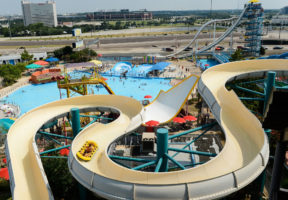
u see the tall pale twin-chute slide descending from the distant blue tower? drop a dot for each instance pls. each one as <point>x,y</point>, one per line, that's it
<point>220,39</point>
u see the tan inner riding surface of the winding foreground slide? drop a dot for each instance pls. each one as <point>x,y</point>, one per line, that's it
<point>245,137</point>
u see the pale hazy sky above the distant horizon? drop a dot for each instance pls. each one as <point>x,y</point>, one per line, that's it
<point>11,7</point>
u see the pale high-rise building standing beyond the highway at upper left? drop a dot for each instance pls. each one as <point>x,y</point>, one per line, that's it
<point>39,13</point>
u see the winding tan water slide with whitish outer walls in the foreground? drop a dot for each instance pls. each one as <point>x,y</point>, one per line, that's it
<point>242,159</point>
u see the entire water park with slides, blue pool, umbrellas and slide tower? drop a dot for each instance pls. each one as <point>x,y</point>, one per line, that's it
<point>151,129</point>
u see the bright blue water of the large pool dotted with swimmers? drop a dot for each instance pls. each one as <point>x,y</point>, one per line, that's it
<point>32,96</point>
